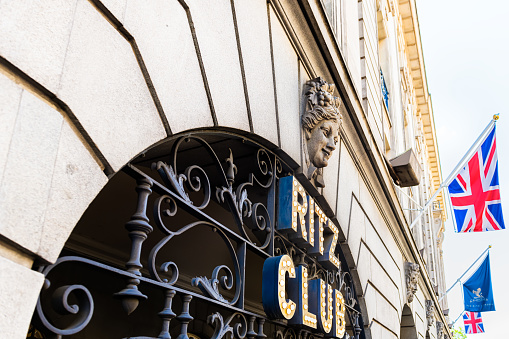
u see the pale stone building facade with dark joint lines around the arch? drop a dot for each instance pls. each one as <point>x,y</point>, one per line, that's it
<point>95,92</point>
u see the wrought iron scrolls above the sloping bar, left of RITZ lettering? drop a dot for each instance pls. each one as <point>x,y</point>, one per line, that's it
<point>247,214</point>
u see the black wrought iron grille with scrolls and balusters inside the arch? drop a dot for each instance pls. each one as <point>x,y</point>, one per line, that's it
<point>179,201</point>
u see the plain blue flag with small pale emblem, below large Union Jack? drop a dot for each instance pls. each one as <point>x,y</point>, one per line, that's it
<point>477,290</point>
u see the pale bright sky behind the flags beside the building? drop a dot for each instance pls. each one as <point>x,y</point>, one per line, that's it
<point>466,53</point>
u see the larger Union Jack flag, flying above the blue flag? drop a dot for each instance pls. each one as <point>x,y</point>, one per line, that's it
<point>475,194</point>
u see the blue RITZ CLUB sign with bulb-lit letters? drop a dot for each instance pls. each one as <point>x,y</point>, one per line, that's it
<point>287,292</point>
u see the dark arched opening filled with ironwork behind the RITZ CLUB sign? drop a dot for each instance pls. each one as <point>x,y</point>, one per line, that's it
<point>178,240</point>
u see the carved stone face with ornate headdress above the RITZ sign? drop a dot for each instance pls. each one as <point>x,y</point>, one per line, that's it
<point>320,123</point>
